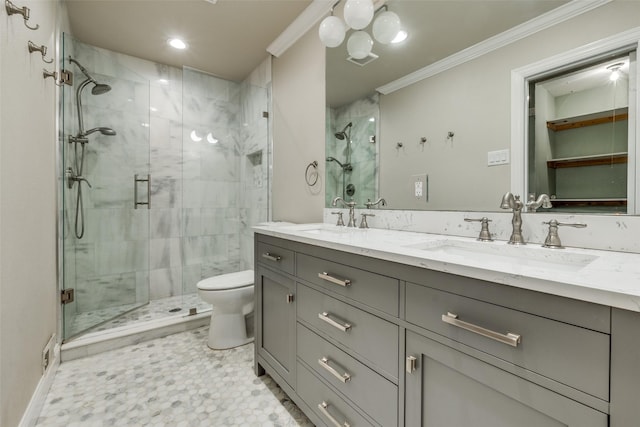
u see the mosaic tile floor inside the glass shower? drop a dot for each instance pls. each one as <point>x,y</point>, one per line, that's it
<point>156,309</point>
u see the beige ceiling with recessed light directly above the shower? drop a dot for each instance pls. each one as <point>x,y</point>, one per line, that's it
<point>227,38</point>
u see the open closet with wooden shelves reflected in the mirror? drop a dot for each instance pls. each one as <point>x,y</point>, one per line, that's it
<point>578,136</point>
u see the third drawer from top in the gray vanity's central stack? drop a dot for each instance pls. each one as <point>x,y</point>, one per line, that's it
<point>371,392</point>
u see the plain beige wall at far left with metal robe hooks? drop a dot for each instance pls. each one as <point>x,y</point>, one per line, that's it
<point>28,208</point>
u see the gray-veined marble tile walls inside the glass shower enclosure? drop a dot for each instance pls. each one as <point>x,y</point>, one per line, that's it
<point>204,196</point>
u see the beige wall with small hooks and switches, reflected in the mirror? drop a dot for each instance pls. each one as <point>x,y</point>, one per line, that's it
<point>473,100</point>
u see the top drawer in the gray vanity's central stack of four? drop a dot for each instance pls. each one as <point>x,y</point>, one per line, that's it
<point>374,290</point>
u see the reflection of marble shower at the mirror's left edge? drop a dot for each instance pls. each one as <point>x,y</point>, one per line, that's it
<point>352,152</point>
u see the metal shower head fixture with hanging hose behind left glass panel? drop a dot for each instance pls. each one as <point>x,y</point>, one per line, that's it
<point>74,173</point>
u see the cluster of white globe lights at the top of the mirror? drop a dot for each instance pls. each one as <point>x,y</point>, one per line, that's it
<point>358,14</point>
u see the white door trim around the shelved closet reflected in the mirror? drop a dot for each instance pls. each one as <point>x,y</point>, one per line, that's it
<point>519,108</point>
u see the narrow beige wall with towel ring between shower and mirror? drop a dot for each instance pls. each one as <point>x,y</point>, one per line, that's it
<point>298,129</point>
